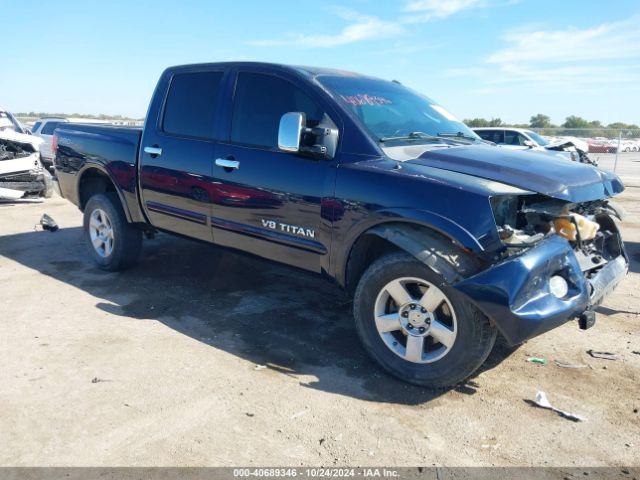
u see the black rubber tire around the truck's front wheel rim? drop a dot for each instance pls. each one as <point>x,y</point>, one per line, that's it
<point>475,334</point>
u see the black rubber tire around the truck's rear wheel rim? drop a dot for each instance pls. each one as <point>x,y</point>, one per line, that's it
<point>127,239</point>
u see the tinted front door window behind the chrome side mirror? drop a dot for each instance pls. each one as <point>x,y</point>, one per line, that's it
<point>259,103</point>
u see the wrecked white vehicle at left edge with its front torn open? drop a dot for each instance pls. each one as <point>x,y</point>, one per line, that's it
<point>21,172</point>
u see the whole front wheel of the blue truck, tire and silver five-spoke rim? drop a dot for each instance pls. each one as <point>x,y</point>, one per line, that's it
<point>416,326</point>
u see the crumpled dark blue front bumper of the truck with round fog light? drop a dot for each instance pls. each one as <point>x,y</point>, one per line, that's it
<point>516,294</point>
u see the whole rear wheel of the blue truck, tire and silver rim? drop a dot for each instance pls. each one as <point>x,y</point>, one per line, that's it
<point>113,243</point>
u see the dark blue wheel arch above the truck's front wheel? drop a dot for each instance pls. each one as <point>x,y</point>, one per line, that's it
<point>431,246</point>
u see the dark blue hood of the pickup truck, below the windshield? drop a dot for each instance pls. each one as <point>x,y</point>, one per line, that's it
<point>531,170</point>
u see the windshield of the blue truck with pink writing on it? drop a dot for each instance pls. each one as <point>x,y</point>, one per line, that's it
<point>390,110</point>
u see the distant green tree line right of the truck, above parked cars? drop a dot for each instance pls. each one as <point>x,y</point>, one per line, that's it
<point>542,122</point>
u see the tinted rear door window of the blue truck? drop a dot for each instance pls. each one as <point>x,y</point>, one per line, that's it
<point>191,103</point>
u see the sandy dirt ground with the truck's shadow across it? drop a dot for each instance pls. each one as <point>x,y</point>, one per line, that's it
<point>204,357</point>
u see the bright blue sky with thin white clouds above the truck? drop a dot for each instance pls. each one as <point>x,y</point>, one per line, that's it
<point>507,59</point>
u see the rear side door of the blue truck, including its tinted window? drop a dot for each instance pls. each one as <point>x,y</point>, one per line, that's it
<point>177,154</point>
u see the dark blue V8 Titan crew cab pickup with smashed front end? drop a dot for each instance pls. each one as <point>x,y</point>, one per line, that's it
<point>443,240</point>
